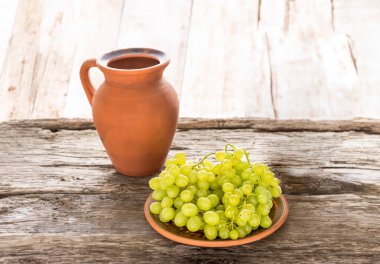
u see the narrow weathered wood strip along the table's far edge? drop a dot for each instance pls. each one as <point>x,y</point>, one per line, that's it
<point>359,125</point>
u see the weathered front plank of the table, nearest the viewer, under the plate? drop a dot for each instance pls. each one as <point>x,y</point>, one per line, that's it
<point>108,228</point>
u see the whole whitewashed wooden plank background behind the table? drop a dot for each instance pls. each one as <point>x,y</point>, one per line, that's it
<point>285,59</point>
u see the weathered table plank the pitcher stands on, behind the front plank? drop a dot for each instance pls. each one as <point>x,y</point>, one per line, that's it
<point>75,161</point>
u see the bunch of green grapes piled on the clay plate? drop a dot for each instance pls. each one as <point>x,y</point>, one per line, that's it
<point>227,198</point>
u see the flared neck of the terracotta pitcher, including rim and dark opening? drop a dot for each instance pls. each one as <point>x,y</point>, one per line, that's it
<point>133,66</point>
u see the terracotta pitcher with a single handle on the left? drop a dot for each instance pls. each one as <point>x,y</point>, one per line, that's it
<point>135,110</point>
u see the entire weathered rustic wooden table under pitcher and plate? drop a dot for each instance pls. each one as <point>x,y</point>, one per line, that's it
<point>61,200</point>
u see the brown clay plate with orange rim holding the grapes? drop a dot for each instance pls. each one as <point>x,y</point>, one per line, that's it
<point>278,214</point>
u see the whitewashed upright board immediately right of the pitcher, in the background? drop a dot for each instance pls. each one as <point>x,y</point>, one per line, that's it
<point>227,70</point>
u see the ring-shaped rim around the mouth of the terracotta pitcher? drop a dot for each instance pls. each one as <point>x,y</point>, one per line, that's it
<point>104,60</point>
